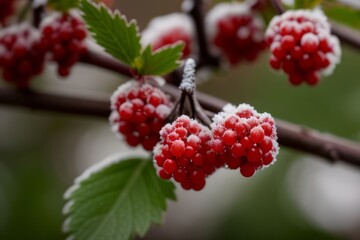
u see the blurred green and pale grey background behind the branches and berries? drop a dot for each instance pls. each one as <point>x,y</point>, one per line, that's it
<point>300,197</point>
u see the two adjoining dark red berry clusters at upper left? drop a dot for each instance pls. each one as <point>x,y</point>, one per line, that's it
<point>24,49</point>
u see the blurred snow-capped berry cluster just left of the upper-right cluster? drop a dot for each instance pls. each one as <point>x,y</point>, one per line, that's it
<point>235,31</point>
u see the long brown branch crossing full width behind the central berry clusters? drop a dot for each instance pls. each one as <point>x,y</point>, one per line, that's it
<point>296,137</point>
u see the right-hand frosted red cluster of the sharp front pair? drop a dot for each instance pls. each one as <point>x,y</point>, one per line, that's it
<point>244,138</point>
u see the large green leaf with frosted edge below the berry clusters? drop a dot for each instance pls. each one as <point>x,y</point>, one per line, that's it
<point>117,201</point>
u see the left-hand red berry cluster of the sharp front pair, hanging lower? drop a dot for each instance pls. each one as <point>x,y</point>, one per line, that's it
<point>185,153</point>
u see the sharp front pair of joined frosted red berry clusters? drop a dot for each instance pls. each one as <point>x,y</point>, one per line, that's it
<point>240,138</point>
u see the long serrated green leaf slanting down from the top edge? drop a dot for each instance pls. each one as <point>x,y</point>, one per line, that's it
<point>113,32</point>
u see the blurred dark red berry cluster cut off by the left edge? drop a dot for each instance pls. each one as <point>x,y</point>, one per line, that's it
<point>21,54</point>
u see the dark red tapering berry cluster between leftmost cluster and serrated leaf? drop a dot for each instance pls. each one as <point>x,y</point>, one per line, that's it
<point>63,36</point>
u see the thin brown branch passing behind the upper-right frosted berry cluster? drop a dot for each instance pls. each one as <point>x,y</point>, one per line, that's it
<point>345,34</point>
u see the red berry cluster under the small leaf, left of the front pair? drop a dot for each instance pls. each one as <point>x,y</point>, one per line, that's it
<point>139,111</point>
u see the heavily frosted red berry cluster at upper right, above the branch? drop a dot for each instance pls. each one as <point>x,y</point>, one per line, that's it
<point>302,46</point>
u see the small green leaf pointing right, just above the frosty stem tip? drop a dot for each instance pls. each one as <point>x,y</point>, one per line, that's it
<point>161,61</point>
